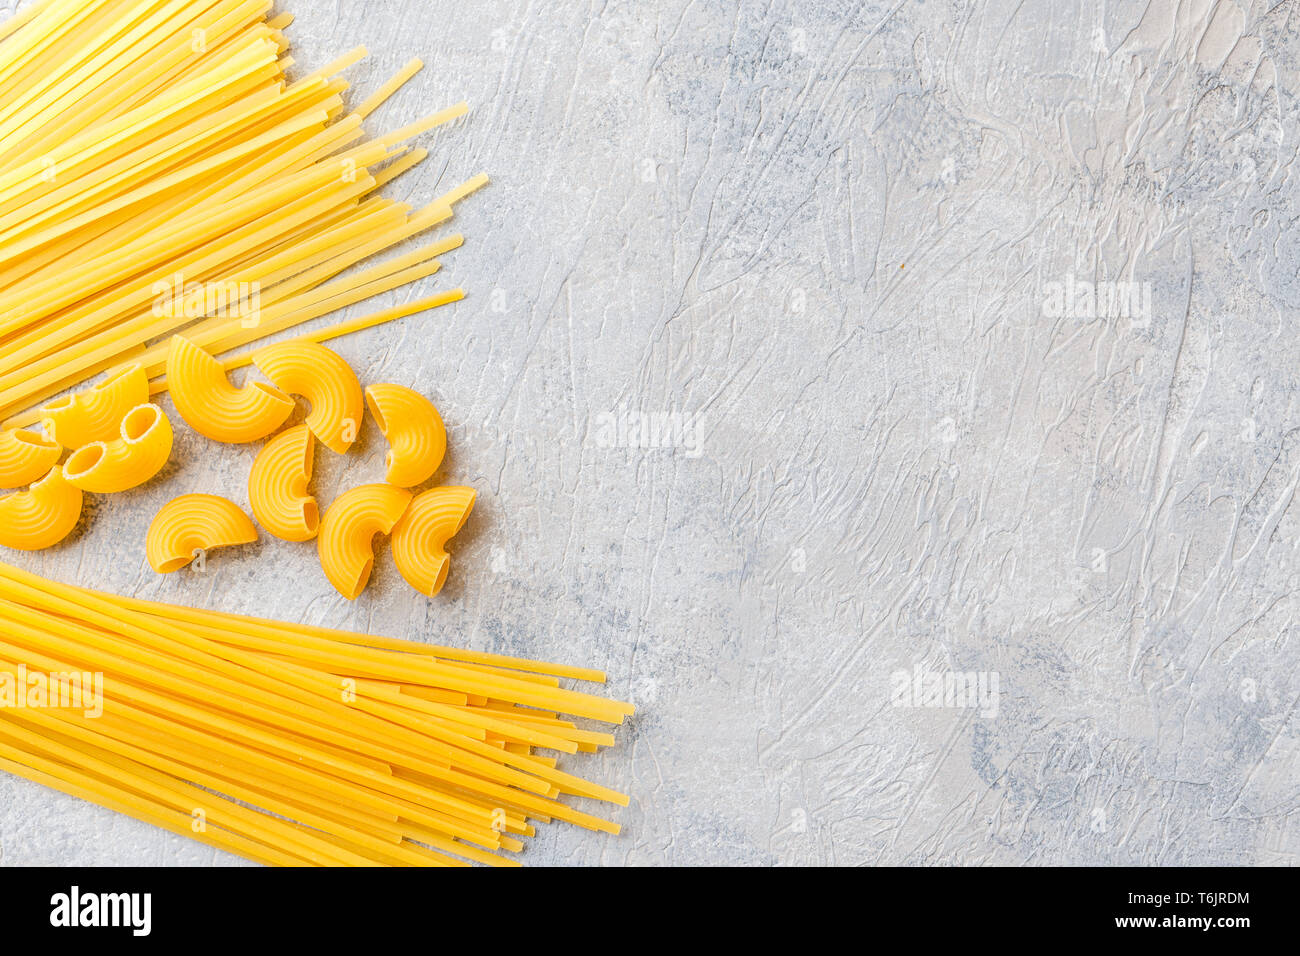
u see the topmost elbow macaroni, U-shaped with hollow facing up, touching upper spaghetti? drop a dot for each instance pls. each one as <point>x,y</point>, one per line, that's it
<point>216,409</point>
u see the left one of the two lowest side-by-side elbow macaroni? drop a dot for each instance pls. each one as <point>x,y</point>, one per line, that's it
<point>348,534</point>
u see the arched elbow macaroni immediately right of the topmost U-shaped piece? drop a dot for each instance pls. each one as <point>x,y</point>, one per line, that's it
<point>322,378</point>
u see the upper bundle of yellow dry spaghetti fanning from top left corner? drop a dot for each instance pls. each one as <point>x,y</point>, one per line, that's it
<point>159,172</point>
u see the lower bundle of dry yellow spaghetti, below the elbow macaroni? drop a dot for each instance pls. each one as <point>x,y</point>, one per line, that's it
<point>289,745</point>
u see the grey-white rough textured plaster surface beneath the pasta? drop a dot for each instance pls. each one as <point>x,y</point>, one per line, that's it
<point>824,233</point>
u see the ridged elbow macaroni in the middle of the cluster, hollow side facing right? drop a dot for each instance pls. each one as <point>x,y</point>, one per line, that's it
<point>278,486</point>
